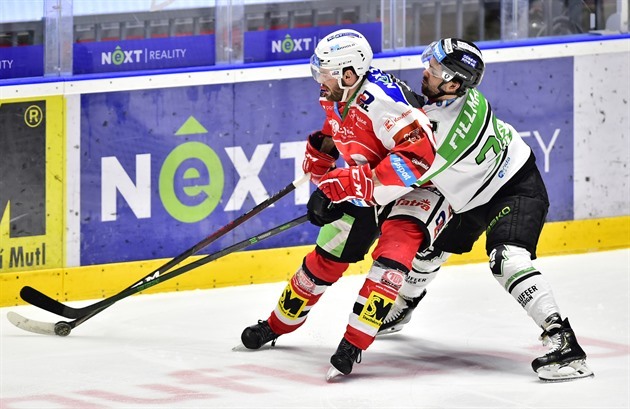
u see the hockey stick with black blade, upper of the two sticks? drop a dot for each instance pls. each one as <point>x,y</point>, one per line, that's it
<point>43,301</point>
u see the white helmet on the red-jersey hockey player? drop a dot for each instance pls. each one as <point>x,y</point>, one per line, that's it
<point>338,50</point>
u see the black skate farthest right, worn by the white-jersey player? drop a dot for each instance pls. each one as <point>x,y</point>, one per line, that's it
<point>566,360</point>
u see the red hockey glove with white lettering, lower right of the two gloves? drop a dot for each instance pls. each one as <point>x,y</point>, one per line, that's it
<point>350,183</point>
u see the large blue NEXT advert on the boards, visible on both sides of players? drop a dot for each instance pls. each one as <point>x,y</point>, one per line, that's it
<point>172,165</point>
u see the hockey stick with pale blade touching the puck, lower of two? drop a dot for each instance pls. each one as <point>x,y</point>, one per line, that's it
<point>63,328</point>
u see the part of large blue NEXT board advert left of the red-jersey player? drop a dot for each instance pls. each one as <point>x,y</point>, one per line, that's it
<point>173,165</point>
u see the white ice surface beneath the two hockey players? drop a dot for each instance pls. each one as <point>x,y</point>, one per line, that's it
<point>469,346</point>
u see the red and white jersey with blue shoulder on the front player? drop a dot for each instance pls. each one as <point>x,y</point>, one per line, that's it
<point>380,126</point>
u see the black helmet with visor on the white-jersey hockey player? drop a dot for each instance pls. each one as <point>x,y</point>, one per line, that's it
<point>461,60</point>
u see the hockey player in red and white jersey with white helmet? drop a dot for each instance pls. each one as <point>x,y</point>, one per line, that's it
<point>372,123</point>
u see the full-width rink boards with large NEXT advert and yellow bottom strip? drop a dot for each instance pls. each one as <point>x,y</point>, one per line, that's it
<point>118,174</point>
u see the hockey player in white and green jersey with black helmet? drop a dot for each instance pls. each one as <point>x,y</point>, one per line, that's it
<point>489,176</point>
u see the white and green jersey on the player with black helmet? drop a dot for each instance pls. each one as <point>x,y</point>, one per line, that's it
<point>477,153</point>
